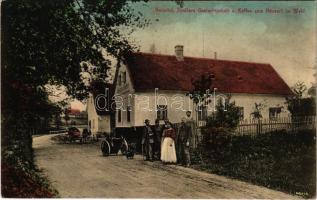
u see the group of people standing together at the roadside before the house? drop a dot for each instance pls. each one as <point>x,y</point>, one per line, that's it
<point>163,143</point>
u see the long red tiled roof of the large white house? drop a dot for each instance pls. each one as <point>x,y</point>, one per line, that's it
<point>151,71</point>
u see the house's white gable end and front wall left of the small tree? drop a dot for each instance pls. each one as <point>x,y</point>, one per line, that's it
<point>144,103</point>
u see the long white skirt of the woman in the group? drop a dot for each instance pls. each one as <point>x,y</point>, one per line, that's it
<point>168,152</point>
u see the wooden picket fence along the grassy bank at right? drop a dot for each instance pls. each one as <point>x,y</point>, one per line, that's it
<point>289,124</point>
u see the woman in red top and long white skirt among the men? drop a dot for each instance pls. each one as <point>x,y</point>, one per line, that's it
<point>168,152</point>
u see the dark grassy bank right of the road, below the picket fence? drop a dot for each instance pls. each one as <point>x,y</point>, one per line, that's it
<point>277,160</point>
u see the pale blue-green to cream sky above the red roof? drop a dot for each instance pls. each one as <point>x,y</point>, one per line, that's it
<point>286,40</point>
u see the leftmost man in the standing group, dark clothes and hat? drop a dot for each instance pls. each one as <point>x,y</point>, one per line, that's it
<point>148,140</point>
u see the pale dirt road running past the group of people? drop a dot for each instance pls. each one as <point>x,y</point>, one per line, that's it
<point>80,171</point>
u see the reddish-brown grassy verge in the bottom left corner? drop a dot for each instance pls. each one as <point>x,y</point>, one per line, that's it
<point>21,179</point>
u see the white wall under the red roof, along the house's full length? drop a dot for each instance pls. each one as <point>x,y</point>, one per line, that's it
<point>144,105</point>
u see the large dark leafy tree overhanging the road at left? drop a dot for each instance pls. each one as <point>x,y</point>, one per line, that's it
<point>46,42</point>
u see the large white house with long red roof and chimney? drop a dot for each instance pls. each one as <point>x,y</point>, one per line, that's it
<point>151,86</point>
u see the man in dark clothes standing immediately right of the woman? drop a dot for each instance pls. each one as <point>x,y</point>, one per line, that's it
<point>183,142</point>
